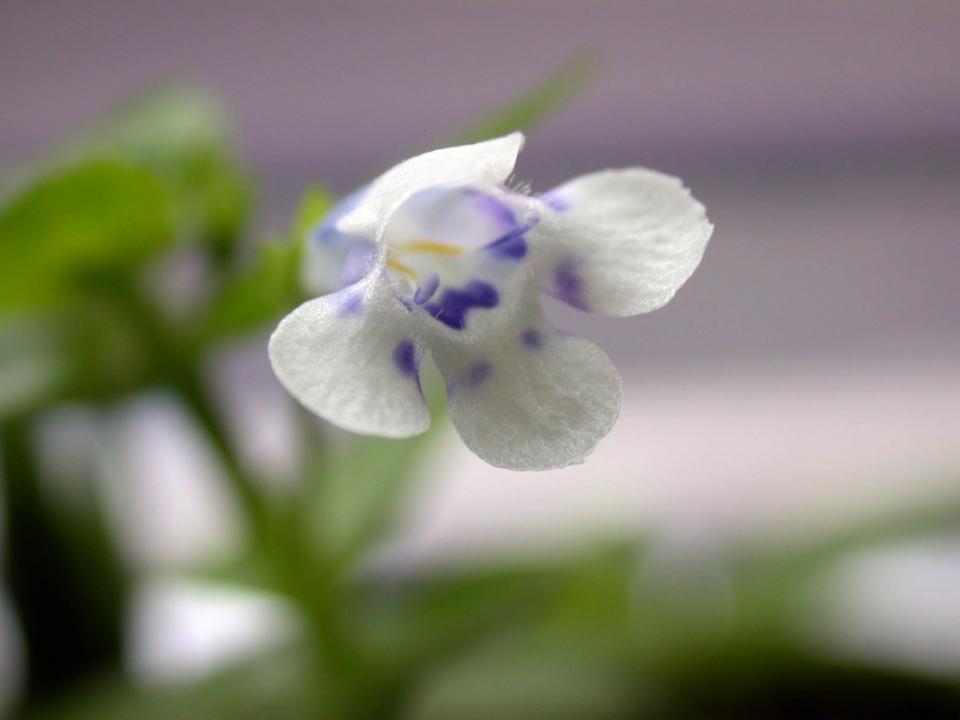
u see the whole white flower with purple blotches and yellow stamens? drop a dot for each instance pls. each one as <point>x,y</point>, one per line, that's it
<point>439,256</point>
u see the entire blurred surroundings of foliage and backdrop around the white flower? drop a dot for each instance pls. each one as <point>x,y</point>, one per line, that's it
<point>771,530</point>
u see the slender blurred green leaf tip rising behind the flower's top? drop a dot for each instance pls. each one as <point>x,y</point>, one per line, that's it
<point>529,109</point>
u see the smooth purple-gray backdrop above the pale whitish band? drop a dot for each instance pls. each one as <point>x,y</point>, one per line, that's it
<point>824,137</point>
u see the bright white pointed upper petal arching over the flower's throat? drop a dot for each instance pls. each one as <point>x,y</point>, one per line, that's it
<point>487,163</point>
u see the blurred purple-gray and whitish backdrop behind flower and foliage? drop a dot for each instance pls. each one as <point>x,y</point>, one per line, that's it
<point>809,370</point>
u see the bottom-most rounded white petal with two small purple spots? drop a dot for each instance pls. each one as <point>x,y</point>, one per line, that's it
<point>535,400</point>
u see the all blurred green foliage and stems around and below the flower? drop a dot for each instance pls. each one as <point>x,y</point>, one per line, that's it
<point>601,633</point>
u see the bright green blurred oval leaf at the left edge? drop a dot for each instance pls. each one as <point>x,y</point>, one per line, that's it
<point>77,227</point>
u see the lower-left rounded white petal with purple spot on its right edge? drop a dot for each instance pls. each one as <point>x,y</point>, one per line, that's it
<point>349,357</point>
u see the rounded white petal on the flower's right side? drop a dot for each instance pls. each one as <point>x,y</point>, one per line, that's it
<point>620,242</point>
